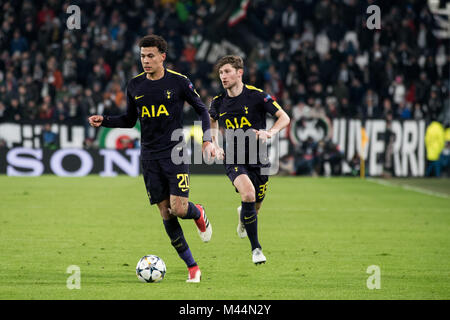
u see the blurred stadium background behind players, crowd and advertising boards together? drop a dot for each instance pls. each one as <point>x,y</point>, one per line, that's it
<point>355,94</point>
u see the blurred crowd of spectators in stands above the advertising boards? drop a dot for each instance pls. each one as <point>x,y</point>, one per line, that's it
<point>318,58</point>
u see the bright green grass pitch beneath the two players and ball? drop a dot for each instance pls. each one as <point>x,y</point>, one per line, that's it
<point>319,236</point>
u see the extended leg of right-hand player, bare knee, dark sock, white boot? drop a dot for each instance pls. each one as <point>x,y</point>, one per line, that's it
<point>249,215</point>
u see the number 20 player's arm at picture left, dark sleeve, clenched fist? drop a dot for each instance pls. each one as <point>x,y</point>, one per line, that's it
<point>126,120</point>
